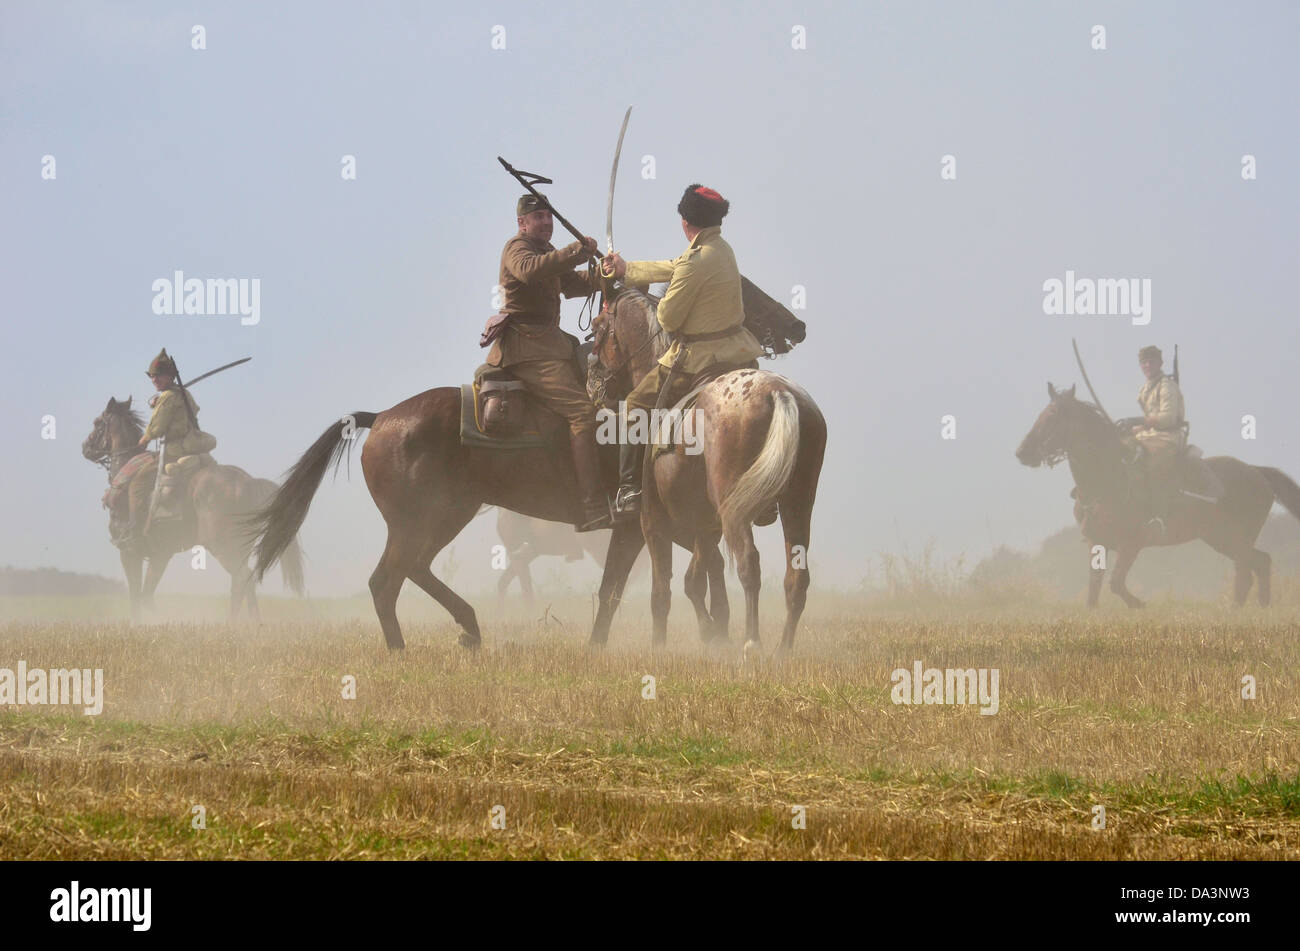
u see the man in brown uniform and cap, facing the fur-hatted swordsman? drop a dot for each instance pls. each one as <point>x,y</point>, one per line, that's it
<point>538,353</point>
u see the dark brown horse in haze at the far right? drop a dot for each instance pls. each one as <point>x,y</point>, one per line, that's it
<point>1112,514</point>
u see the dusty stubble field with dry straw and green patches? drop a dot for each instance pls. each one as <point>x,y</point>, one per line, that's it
<point>1142,715</point>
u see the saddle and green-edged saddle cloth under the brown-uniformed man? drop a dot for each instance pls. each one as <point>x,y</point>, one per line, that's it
<point>499,414</point>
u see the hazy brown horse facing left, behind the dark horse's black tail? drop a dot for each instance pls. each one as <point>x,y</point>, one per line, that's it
<point>222,500</point>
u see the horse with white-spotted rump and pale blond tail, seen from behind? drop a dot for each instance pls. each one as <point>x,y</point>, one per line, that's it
<point>761,441</point>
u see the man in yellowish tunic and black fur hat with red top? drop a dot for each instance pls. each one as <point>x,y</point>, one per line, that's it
<point>703,311</point>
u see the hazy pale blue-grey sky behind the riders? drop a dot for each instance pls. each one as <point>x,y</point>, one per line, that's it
<point>925,297</point>
